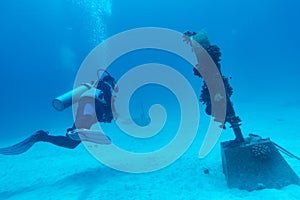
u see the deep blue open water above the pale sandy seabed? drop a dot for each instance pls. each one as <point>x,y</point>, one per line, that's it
<point>43,43</point>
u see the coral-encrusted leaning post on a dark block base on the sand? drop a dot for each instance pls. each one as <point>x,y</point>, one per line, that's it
<point>249,163</point>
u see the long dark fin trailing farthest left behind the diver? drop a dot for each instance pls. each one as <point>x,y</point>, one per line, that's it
<point>23,146</point>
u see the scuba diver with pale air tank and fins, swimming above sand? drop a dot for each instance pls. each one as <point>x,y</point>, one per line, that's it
<point>95,104</point>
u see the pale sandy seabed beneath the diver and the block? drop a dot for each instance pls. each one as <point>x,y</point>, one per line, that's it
<point>48,172</point>
